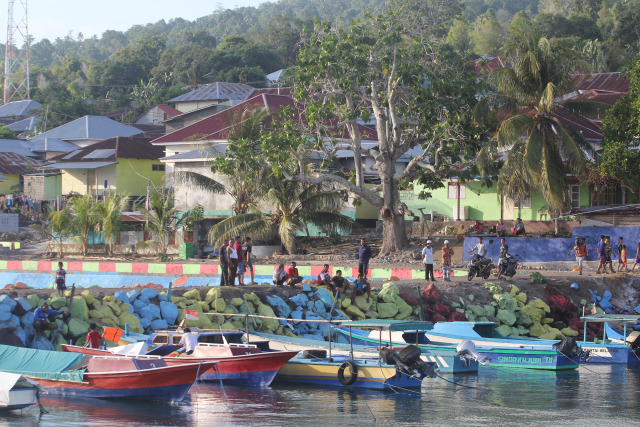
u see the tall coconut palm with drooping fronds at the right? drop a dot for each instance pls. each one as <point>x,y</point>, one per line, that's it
<point>540,148</point>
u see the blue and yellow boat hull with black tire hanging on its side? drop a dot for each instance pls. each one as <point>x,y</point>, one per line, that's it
<point>371,375</point>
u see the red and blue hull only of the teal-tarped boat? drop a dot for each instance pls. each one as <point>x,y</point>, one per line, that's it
<point>170,383</point>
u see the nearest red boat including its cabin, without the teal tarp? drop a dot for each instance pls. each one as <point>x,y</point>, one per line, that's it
<point>122,377</point>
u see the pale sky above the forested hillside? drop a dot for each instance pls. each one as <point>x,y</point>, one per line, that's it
<point>57,18</point>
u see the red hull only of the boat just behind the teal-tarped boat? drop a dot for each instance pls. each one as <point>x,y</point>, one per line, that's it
<point>255,370</point>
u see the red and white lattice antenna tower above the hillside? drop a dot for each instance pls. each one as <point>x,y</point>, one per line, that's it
<point>16,59</point>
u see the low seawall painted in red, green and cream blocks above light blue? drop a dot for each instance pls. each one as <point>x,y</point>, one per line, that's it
<point>40,274</point>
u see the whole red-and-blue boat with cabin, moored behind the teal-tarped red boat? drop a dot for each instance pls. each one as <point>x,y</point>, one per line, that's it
<point>239,364</point>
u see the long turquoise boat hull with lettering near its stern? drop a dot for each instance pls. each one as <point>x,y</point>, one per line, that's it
<point>547,359</point>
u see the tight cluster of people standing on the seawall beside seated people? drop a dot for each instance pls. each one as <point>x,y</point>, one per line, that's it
<point>235,260</point>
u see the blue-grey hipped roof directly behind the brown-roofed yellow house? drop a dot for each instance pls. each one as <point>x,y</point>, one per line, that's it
<point>90,127</point>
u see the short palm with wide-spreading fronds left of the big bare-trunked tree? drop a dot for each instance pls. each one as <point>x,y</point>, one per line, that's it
<point>294,206</point>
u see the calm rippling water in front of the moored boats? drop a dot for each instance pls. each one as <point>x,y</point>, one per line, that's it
<point>601,395</point>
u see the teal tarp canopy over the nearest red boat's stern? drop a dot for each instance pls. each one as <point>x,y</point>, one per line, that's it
<point>39,363</point>
